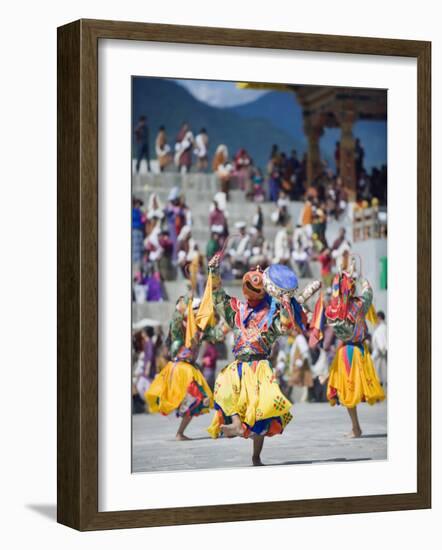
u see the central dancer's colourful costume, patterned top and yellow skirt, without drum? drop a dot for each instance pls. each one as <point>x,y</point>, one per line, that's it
<point>248,387</point>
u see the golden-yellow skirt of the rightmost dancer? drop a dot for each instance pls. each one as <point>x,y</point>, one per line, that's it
<point>353,378</point>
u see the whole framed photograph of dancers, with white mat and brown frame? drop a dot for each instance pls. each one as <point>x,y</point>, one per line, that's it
<point>244,275</point>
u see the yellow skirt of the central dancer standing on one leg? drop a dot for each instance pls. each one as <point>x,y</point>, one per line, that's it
<point>251,391</point>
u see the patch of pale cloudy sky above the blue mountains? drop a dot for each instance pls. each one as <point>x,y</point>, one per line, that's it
<point>220,94</point>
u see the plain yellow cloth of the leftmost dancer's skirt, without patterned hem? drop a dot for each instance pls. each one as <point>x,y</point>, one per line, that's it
<point>169,388</point>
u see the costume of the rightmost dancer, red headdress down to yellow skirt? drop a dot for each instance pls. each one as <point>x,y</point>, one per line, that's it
<point>352,374</point>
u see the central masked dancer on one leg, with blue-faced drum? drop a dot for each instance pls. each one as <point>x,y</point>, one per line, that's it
<point>248,399</point>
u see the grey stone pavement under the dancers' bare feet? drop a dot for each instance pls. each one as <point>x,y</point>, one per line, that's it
<point>316,434</point>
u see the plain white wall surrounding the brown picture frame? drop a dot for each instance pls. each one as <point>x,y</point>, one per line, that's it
<point>28,346</point>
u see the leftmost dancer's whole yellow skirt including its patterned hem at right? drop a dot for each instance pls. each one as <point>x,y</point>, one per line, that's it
<point>179,387</point>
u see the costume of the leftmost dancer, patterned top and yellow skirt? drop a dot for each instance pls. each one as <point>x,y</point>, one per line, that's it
<point>180,386</point>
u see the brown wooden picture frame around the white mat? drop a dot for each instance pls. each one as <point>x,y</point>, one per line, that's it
<point>78,274</point>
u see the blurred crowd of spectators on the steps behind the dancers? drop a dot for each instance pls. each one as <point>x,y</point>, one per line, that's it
<point>165,249</point>
